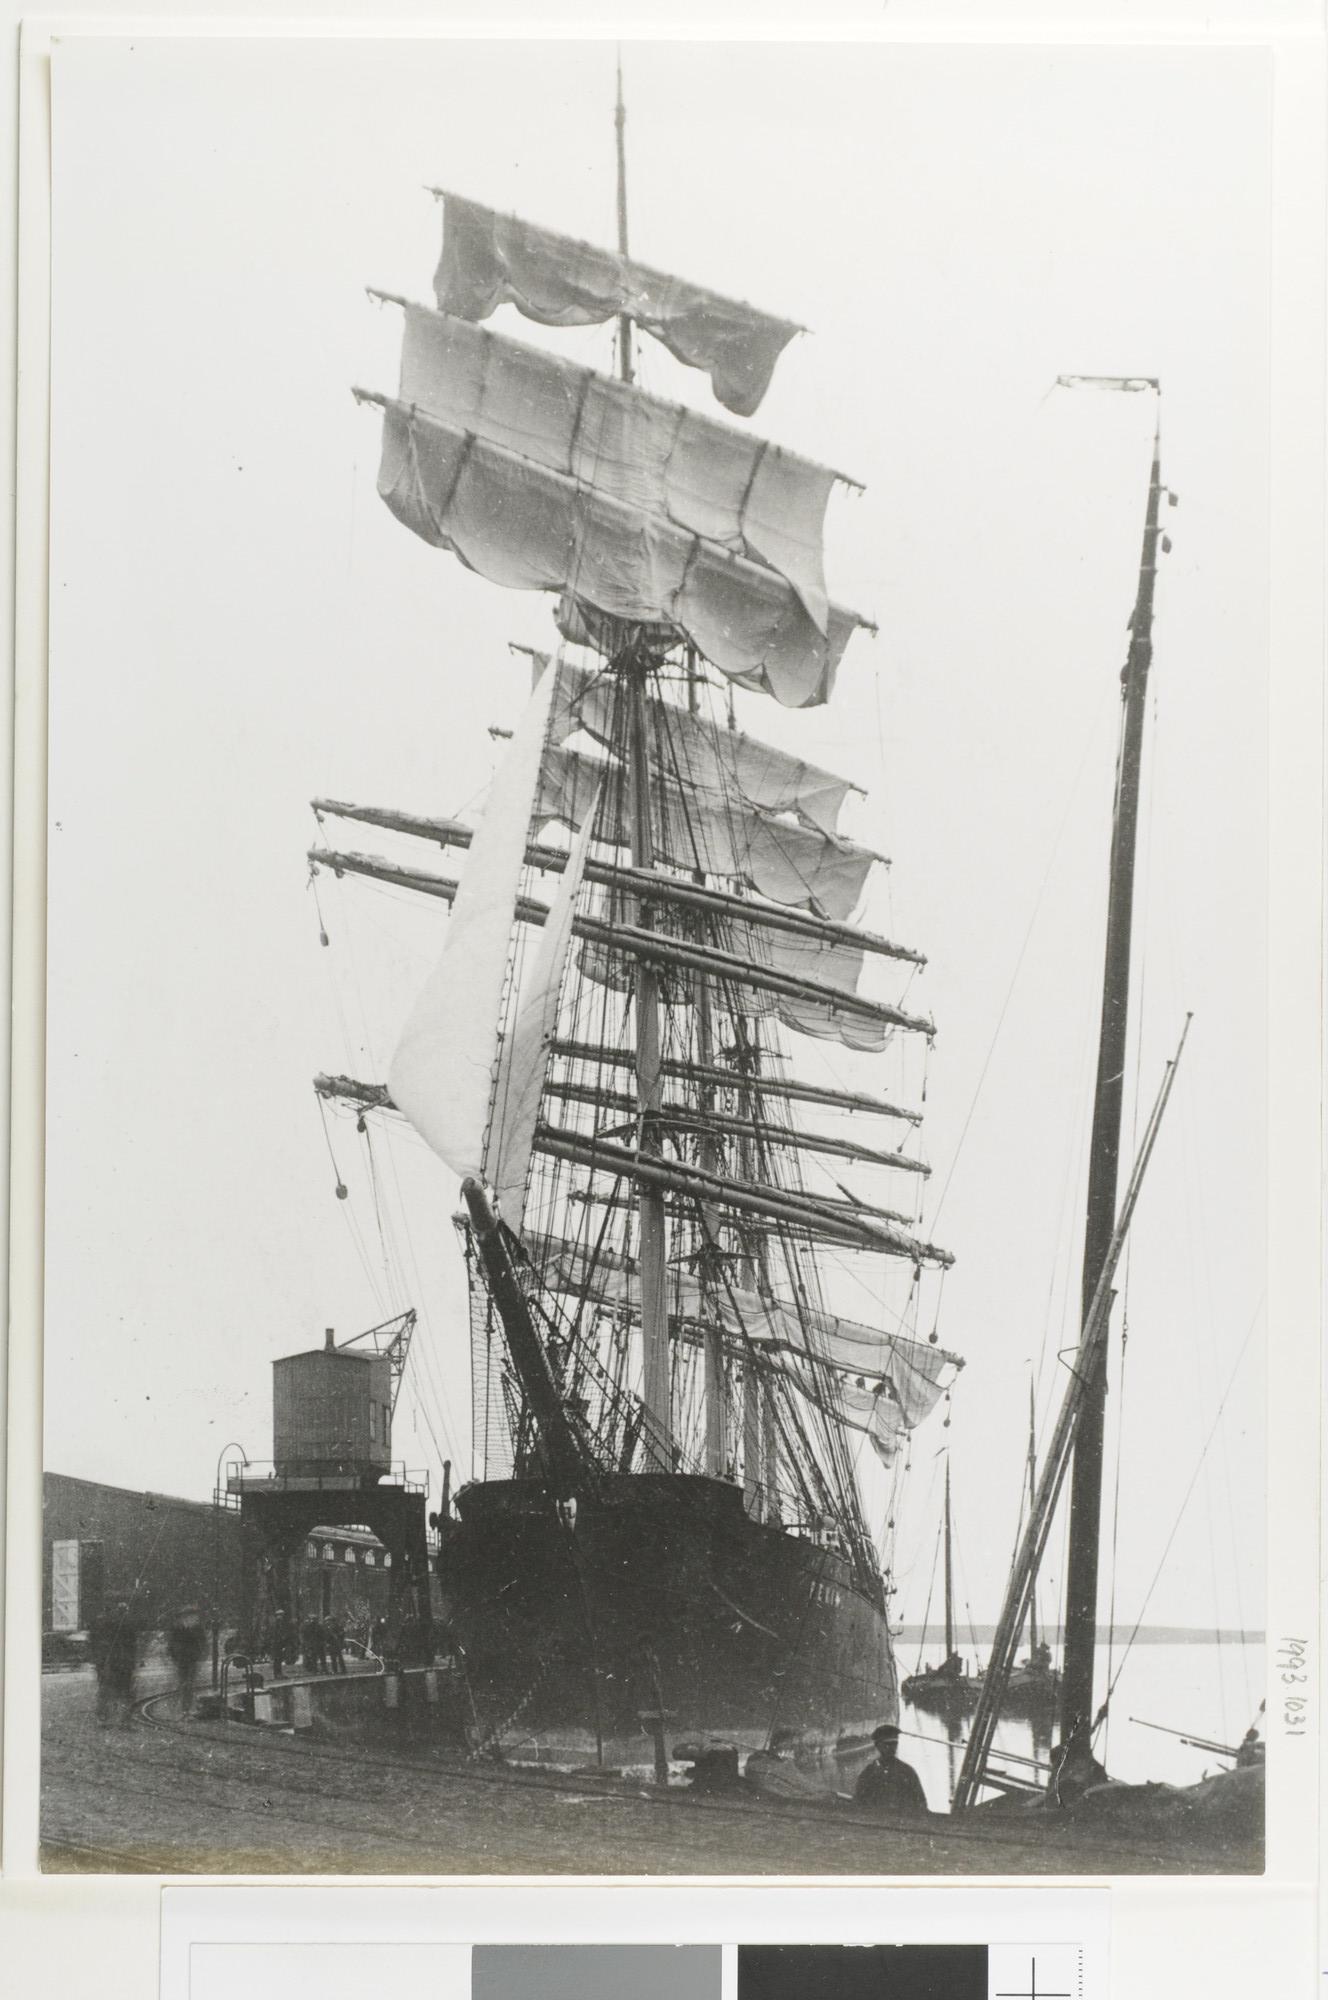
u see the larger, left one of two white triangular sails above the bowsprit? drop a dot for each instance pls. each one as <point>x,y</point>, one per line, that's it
<point>443,1071</point>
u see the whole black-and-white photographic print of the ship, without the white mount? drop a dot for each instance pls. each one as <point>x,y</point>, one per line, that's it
<point>657,961</point>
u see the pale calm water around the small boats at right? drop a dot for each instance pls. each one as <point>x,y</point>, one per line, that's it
<point>1207,1691</point>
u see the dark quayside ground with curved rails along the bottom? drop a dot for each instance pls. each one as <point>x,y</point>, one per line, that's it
<point>171,1797</point>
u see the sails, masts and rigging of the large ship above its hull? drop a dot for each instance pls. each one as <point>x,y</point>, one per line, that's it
<point>623,1081</point>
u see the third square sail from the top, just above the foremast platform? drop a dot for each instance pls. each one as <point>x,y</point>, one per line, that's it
<point>529,529</point>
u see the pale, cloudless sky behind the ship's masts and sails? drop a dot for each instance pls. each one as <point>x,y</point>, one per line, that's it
<point>239,627</point>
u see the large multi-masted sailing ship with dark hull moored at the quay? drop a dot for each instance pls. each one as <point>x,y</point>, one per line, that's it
<point>653,937</point>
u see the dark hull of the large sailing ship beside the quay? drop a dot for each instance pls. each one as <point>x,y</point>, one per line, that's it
<point>659,1597</point>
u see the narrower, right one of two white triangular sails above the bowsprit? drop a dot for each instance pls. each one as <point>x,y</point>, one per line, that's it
<point>523,1065</point>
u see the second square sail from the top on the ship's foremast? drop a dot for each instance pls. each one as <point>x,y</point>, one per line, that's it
<point>659,457</point>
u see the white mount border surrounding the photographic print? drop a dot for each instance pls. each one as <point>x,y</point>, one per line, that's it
<point>1219,1931</point>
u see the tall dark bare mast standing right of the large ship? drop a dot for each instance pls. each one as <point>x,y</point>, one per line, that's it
<point>1105,1147</point>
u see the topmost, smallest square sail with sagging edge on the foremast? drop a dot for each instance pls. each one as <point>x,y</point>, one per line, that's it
<point>491,261</point>
